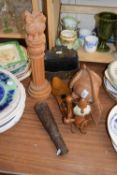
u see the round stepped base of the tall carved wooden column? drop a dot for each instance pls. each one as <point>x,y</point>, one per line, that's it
<point>41,93</point>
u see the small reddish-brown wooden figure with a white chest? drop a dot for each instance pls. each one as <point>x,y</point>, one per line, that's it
<point>79,111</point>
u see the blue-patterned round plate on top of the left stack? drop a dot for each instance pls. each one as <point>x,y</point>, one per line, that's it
<point>9,93</point>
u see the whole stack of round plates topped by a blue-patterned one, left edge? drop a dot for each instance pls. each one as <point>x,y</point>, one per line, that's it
<point>12,100</point>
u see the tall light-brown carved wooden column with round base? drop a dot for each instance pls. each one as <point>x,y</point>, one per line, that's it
<point>35,39</point>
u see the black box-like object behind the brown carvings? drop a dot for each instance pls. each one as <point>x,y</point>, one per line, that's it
<point>62,62</point>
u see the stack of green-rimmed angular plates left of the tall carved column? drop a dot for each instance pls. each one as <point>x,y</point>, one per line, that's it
<point>13,57</point>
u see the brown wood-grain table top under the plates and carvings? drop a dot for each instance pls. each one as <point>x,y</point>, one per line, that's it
<point>27,149</point>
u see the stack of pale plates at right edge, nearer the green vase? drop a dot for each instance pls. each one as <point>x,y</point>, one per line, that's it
<point>110,79</point>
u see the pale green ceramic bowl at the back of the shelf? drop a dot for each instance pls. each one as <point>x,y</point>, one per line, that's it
<point>69,22</point>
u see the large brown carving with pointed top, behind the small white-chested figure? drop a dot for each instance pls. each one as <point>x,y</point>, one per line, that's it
<point>88,80</point>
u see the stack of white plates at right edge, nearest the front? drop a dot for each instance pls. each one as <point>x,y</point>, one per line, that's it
<point>112,126</point>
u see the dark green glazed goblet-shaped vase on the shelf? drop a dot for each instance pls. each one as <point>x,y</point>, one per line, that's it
<point>105,23</point>
